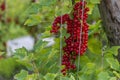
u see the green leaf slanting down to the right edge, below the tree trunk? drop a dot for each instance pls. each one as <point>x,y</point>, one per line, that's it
<point>114,64</point>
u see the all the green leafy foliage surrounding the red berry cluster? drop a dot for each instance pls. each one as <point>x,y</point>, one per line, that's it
<point>43,63</point>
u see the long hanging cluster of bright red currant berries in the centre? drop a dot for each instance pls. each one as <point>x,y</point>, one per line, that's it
<point>77,27</point>
